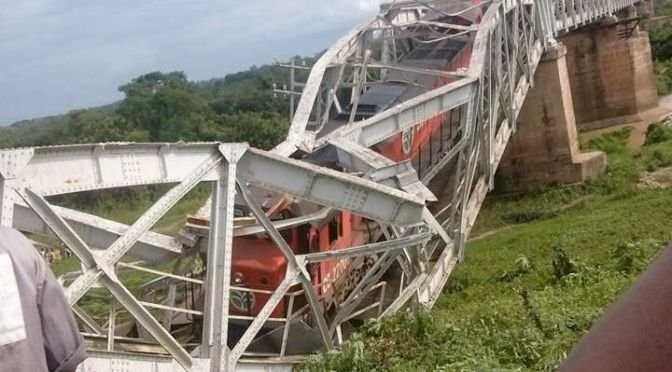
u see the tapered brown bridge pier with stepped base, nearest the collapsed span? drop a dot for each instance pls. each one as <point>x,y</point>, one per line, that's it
<point>545,148</point>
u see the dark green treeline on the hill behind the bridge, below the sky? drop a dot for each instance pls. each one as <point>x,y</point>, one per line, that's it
<point>167,107</point>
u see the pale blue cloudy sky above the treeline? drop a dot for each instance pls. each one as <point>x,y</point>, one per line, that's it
<point>59,55</point>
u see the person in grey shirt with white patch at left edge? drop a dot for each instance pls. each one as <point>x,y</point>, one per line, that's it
<point>38,332</point>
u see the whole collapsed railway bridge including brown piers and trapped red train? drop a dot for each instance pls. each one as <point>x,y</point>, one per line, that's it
<point>402,128</point>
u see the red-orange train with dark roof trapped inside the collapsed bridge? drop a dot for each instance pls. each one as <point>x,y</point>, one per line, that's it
<point>259,266</point>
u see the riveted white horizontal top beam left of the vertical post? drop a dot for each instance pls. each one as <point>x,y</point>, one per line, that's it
<point>67,169</point>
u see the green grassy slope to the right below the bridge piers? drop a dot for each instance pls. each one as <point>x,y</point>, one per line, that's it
<point>528,292</point>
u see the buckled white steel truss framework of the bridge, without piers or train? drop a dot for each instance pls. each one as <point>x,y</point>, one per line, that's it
<point>422,210</point>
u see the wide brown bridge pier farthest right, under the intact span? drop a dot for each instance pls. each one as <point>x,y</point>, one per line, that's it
<point>611,72</point>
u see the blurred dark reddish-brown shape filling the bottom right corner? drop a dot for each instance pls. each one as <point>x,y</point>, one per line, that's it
<point>636,332</point>
